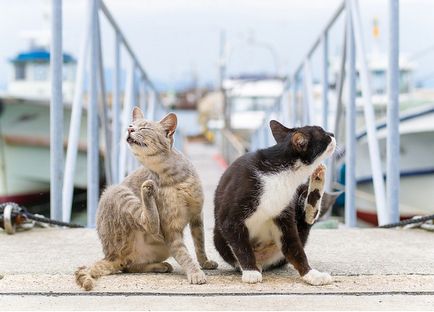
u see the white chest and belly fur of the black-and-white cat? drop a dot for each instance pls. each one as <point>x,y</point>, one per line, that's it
<point>278,190</point>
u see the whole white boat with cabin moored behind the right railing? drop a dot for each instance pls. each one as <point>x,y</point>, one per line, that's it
<point>416,137</point>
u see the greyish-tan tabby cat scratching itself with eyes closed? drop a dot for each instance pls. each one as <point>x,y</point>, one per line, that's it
<point>140,222</point>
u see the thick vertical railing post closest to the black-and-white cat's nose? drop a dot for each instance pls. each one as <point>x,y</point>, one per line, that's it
<point>350,136</point>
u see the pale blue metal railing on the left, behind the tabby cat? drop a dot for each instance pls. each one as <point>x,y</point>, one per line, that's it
<point>102,119</point>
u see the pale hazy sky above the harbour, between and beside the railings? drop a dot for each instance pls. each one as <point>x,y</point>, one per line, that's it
<point>178,41</point>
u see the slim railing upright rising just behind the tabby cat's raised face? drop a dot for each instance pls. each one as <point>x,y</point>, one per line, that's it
<point>116,110</point>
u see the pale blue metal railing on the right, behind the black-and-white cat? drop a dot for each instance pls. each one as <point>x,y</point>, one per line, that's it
<point>300,109</point>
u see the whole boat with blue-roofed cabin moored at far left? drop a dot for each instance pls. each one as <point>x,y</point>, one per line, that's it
<point>25,128</point>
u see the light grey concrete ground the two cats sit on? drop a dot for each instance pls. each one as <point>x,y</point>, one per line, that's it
<point>372,268</point>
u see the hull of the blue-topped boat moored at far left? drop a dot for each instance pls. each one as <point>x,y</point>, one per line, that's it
<point>25,150</point>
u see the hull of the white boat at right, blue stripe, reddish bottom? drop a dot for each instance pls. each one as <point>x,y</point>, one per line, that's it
<point>416,166</point>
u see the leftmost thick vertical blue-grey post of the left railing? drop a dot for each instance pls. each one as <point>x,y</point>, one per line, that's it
<point>56,112</point>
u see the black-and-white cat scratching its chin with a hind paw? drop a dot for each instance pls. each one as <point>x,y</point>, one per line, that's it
<point>267,201</point>
